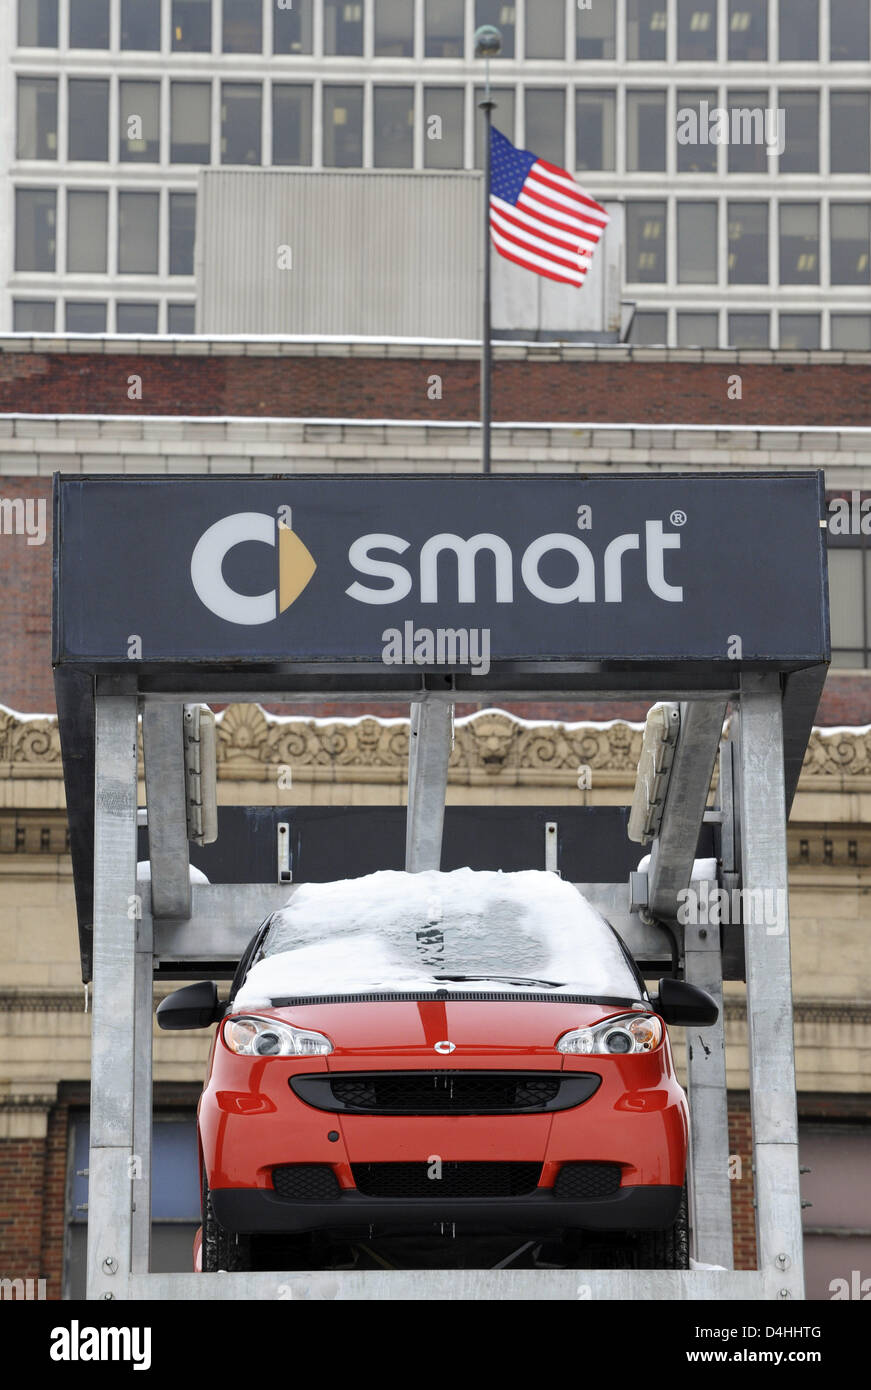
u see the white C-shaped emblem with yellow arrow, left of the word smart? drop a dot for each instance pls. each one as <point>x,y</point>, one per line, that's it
<point>295,566</point>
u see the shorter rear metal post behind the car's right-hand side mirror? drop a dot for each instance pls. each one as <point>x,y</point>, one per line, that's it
<point>711,1199</point>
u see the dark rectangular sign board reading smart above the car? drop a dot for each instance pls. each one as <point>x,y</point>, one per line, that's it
<point>449,573</point>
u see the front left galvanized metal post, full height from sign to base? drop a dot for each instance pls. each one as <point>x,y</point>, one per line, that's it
<point>113,1043</point>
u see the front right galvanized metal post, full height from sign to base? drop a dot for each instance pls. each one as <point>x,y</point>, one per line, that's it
<point>770,1020</point>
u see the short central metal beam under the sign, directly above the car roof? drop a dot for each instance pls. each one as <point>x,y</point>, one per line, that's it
<point>430,746</point>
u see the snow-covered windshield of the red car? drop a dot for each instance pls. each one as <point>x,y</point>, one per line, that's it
<point>399,932</point>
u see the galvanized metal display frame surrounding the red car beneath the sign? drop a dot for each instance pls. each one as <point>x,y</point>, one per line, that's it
<point>177,922</point>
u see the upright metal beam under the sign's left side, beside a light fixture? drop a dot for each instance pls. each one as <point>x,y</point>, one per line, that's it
<point>165,764</point>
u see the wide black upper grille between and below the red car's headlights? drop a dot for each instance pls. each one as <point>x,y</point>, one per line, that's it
<point>445,1093</point>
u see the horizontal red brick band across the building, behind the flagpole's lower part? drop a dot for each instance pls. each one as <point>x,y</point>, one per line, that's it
<point>636,391</point>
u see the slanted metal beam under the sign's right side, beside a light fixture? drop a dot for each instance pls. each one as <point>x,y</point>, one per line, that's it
<point>674,850</point>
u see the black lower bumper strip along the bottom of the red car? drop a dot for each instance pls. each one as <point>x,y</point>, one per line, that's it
<point>259,1211</point>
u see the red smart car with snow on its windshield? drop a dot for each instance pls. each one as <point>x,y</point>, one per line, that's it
<point>441,1054</point>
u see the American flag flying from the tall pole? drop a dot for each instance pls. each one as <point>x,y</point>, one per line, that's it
<point>540,215</point>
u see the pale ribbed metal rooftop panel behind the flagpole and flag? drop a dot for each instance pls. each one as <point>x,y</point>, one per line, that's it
<point>376,252</point>
